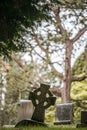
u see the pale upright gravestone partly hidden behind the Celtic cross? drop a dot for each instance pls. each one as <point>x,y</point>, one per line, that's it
<point>25,110</point>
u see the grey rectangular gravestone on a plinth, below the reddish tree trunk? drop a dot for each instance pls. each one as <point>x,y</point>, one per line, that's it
<point>64,114</point>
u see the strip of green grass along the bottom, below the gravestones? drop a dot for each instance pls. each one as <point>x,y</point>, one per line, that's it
<point>62,127</point>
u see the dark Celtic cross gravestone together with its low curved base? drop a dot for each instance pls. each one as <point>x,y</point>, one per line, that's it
<point>41,98</point>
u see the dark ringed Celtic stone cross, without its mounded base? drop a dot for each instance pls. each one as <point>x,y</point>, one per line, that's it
<point>41,98</point>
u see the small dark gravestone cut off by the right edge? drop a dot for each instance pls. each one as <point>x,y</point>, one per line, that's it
<point>83,119</point>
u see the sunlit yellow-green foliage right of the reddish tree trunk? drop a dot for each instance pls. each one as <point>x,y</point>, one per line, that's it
<point>79,89</point>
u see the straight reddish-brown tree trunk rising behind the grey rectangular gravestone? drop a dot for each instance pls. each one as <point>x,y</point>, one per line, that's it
<point>67,79</point>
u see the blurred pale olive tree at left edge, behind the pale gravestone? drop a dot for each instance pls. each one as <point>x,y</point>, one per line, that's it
<point>19,78</point>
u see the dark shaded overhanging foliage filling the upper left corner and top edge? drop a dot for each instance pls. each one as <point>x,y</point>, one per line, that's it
<point>17,16</point>
